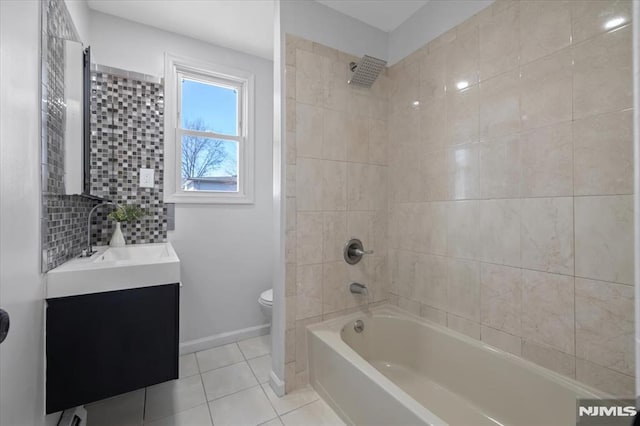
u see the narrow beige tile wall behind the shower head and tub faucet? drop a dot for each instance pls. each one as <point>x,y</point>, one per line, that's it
<point>336,188</point>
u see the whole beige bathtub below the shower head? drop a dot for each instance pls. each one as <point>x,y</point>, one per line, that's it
<point>405,370</point>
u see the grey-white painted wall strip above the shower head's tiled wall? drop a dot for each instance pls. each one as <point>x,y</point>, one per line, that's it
<point>314,21</point>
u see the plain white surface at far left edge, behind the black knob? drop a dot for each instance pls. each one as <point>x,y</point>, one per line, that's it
<point>21,286</point>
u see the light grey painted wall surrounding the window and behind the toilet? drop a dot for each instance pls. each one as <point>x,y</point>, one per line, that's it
<point>225,251</point>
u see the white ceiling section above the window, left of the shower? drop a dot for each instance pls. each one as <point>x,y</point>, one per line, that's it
<point>246,25</point>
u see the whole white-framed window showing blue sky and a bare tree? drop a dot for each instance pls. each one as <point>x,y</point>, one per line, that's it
<point>209,133</point>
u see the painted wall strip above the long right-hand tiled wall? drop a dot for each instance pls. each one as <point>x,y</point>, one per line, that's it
<point>431,20</point>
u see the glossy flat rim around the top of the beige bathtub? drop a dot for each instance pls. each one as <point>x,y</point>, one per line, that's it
<point>329,332</point>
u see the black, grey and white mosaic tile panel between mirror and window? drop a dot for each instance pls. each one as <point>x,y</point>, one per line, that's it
<point>127,133</point>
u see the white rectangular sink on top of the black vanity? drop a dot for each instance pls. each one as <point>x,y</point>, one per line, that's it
<point>115,268</point>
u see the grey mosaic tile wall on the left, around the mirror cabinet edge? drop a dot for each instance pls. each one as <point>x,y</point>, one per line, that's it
<point>64,218</point>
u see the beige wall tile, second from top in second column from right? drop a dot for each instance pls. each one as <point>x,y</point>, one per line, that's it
<point>546,90</point>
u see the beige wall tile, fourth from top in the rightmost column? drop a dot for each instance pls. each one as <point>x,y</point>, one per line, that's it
<point>604,238</point>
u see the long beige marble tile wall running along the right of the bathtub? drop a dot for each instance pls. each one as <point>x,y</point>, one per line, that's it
<point>510,184</point>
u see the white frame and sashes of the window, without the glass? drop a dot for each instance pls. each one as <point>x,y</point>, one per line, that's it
<point>176,67</point>
